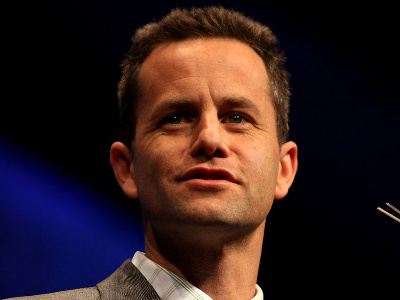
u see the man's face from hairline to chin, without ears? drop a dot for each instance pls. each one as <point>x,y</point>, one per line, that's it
<point>206,150</point>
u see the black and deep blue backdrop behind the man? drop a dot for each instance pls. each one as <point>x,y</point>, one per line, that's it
<point>64,223</point>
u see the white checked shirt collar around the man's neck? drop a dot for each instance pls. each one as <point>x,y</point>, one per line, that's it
<point>170,286</point>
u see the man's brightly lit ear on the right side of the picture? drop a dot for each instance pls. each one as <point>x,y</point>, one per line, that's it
<point>287,169</point>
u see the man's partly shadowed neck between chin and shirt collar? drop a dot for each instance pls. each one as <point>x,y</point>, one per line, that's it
<point>222,265</point>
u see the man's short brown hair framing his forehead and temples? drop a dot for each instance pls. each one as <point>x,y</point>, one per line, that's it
<point>214,22</point>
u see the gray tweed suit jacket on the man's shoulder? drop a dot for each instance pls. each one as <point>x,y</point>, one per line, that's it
<point>126,283</point>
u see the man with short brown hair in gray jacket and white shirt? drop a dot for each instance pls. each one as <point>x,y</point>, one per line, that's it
<point>204,102</point>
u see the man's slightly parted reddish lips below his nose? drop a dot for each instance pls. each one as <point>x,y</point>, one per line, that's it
<point>208,174</point>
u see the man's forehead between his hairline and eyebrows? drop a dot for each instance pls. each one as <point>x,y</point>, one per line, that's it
<point>214,59</point>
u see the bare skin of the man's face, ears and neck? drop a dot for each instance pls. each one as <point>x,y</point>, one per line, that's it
<point>207,162</point>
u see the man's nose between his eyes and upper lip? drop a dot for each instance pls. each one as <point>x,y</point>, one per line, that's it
<point>209,138</point>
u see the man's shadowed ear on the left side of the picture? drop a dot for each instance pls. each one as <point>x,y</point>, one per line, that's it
<point>122,163</point>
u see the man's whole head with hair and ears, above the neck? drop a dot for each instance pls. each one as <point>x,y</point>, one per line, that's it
<point>207,153</point>
